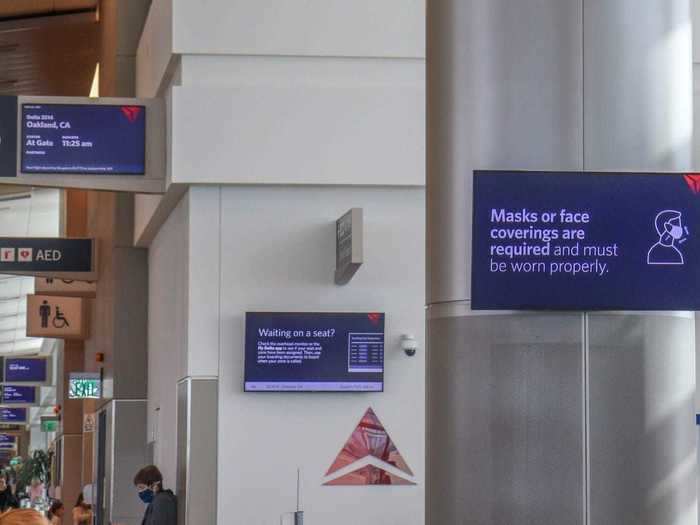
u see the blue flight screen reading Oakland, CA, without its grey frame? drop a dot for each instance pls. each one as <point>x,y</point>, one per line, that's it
<point>83,139</point>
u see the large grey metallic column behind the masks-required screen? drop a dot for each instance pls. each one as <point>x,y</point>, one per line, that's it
<point>513,434</point>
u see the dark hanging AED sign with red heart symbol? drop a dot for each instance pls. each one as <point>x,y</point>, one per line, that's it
<point>46,255</point>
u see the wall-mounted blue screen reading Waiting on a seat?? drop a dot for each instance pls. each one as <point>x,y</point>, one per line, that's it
<point>314,352</point>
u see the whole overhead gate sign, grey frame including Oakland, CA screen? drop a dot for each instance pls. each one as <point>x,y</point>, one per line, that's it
<point>115,144</point>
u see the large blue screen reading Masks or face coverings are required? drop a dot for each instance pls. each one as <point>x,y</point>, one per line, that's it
<point>585,241</point>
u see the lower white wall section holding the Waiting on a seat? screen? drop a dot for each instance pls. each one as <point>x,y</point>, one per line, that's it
<point>278,254</point>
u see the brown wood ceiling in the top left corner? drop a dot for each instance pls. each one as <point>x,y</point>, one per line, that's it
<point>48,47</point>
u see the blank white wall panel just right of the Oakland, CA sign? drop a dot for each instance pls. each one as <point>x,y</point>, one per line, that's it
<point>298,135</point>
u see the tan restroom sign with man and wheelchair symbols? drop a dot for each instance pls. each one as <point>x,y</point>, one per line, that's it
<point>57,317</point>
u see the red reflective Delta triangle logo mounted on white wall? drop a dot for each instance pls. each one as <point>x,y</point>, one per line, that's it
<point>369,457</point>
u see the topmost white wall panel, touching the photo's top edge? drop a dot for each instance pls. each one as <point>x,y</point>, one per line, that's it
<point>391,28</point>
